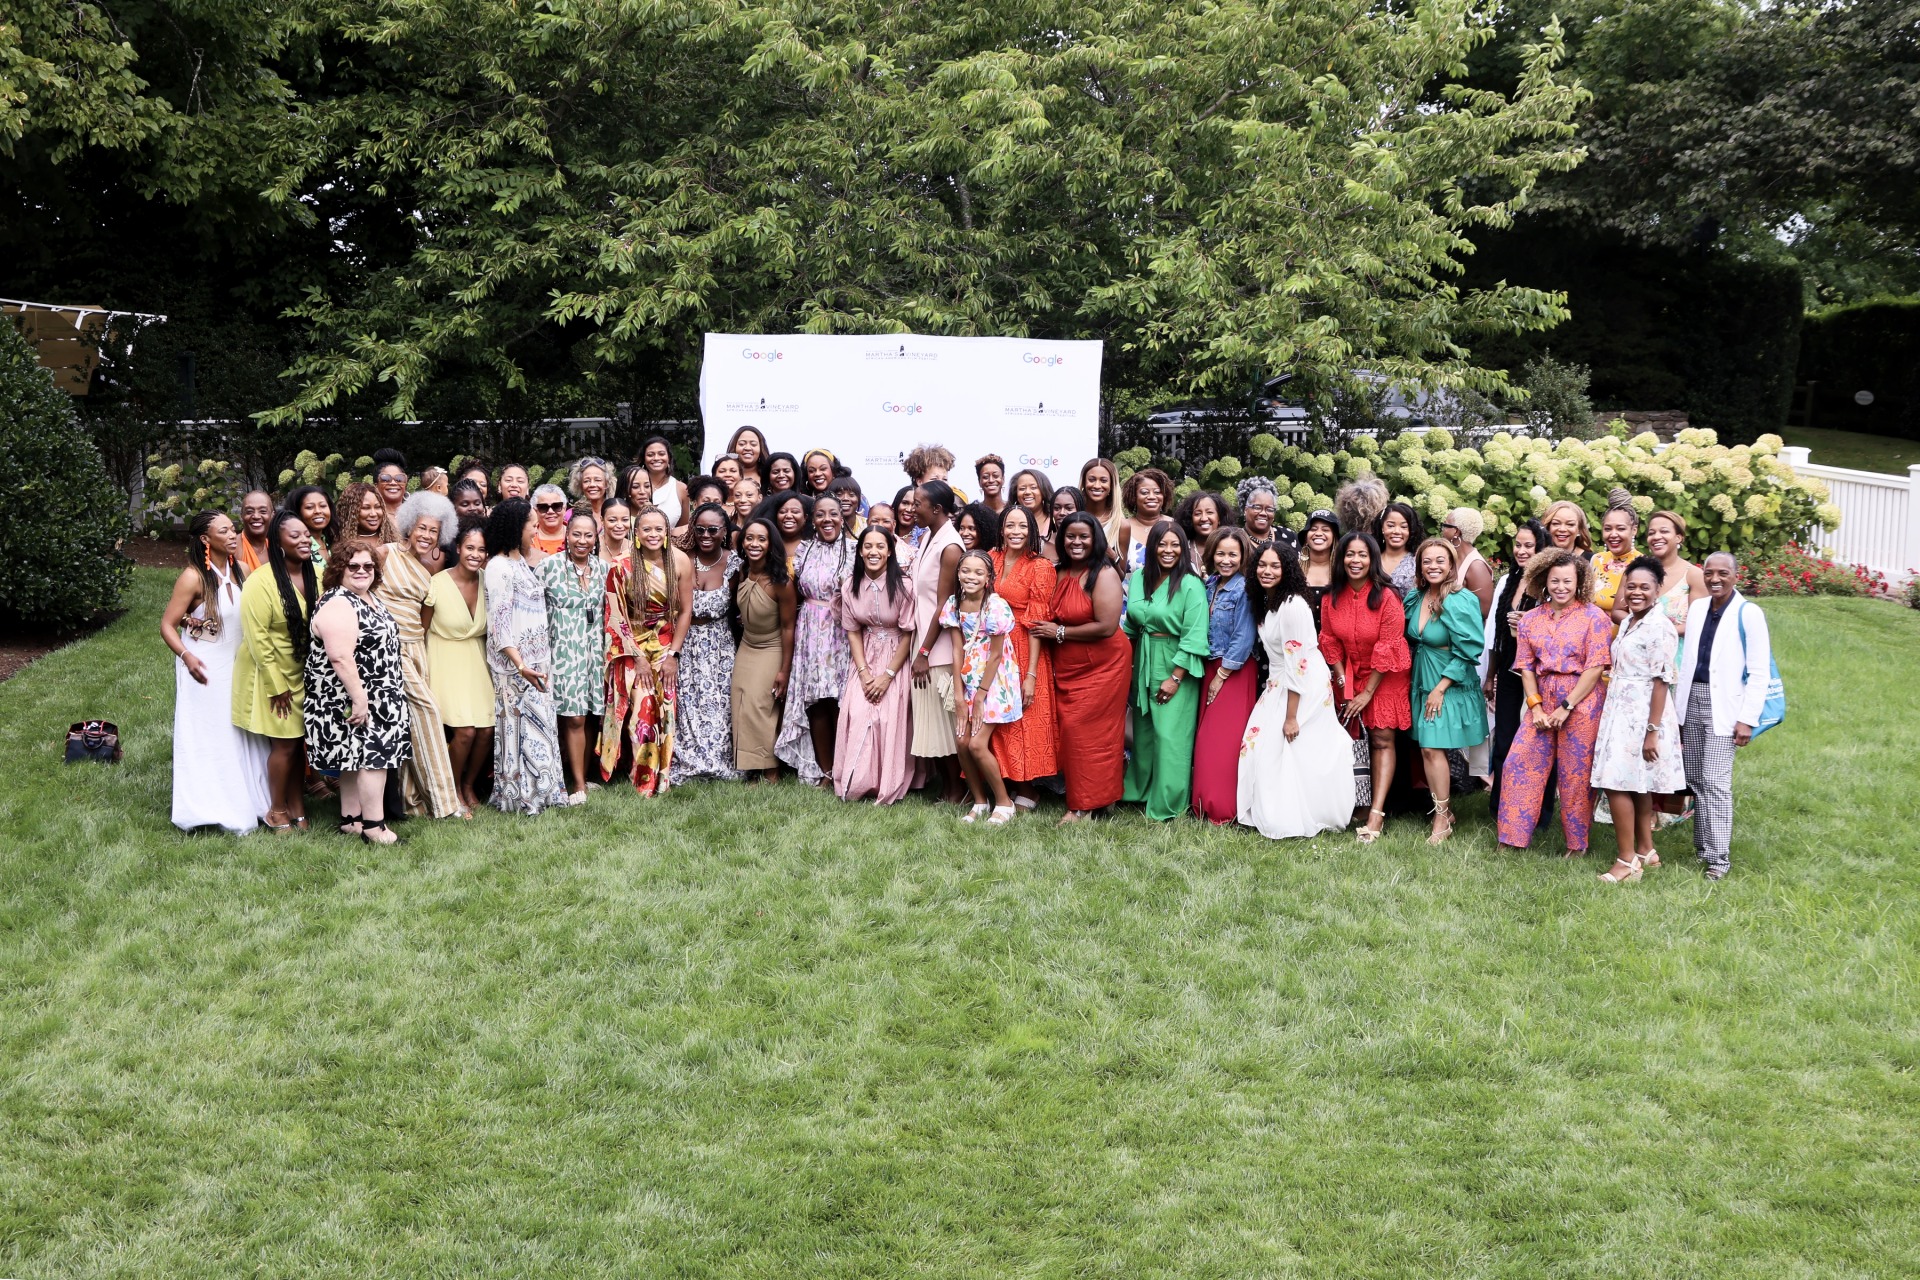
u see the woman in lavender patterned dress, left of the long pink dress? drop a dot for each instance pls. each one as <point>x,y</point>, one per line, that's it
<point>821,652</point>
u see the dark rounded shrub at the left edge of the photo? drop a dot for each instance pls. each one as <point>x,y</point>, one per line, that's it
<point>62,521</point>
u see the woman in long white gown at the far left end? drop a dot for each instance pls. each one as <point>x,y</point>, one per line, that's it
<point>220,770</point>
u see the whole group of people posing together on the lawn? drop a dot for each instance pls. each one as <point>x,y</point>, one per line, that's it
<point>431,642</point>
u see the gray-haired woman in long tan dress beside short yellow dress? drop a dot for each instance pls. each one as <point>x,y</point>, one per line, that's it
<point>427,531</point>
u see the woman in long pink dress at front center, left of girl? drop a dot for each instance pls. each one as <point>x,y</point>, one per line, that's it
<point>875,717</point>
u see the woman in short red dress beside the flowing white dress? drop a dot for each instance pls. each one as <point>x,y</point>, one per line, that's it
<point>1364,642</point>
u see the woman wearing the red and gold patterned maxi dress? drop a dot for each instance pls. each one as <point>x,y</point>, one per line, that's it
<point>646,607</point>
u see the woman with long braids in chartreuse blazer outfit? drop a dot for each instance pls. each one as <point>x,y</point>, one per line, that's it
<point>270,671</point>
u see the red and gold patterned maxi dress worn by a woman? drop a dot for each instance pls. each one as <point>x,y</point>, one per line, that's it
<point>640,723</point>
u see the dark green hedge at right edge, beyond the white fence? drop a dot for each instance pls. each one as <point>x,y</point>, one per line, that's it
<point>1871,348</point>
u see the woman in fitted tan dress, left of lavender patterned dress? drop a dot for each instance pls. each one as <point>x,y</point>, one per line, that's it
<point>763,621</point>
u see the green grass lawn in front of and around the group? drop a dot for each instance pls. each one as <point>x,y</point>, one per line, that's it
<point>744,1033</point>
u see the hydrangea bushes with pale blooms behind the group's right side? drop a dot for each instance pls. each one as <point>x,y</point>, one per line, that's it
<point>1739,498</point>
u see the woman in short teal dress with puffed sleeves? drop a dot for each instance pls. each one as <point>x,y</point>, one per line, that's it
<point>1447,634</point>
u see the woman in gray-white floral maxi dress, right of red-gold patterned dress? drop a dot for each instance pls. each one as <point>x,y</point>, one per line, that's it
<point>704,730</point>
